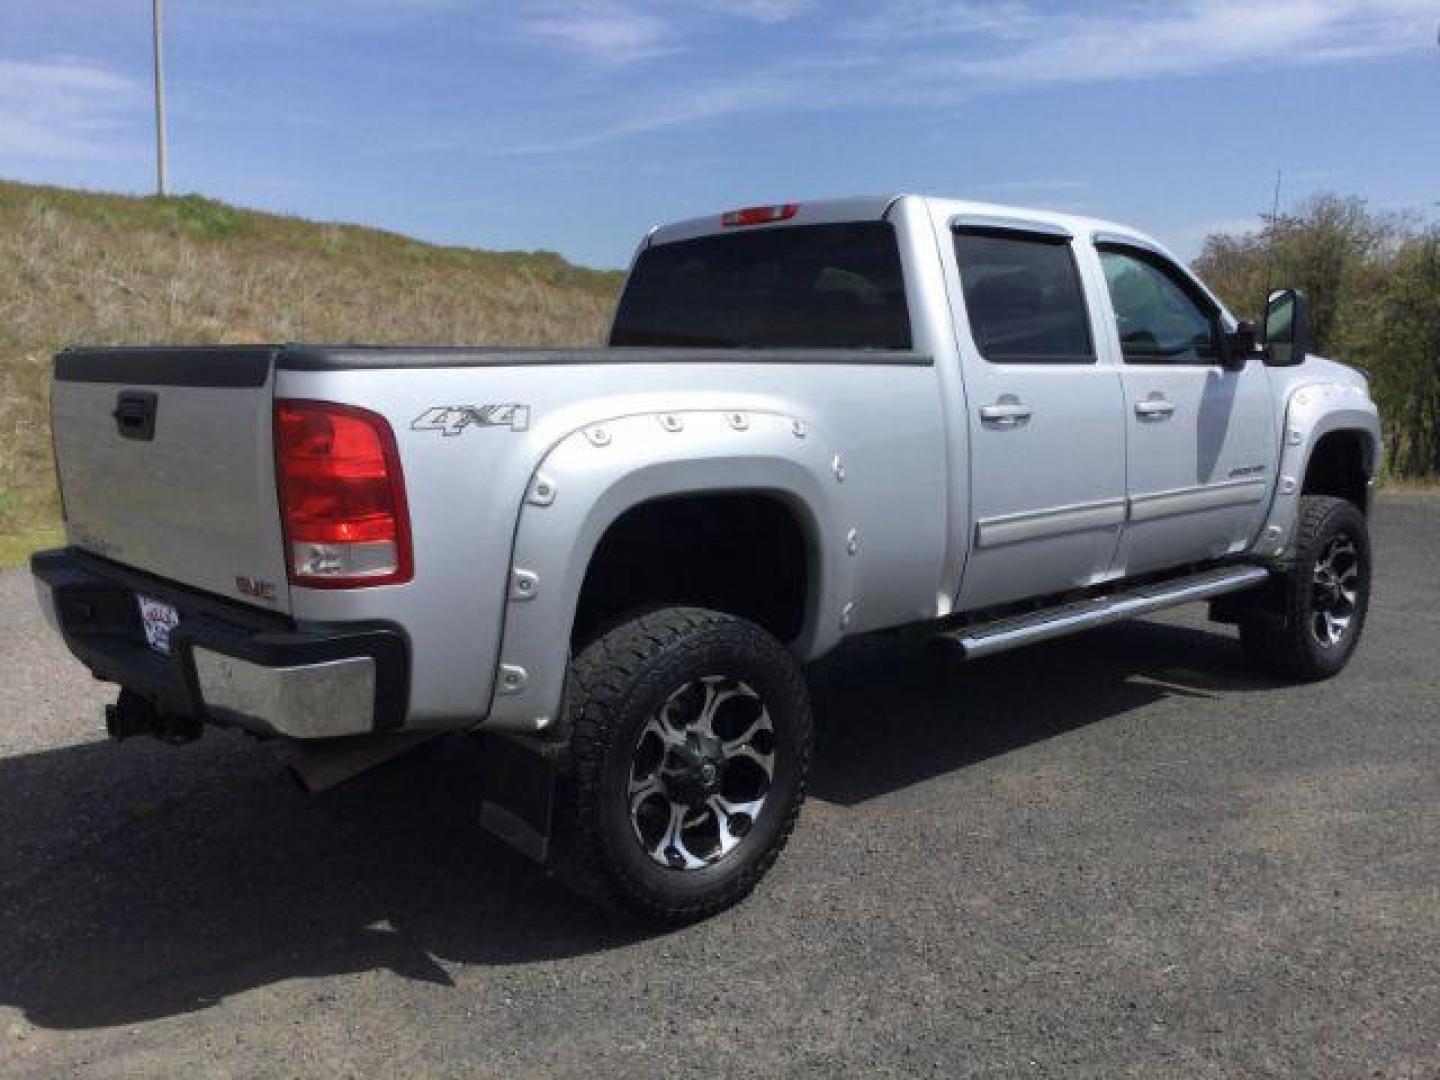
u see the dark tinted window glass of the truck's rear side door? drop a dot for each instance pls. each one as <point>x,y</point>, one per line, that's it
<point>1023,297</point>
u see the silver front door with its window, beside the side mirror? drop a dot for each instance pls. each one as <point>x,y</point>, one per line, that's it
<point>1200,438</point>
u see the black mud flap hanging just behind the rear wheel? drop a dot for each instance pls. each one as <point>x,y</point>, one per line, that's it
<point>519,780</point>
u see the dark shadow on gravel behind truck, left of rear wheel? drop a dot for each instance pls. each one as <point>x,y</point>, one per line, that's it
<point>146,882</point>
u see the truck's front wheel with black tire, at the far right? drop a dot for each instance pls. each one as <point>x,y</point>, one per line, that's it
<point>1324,597</point>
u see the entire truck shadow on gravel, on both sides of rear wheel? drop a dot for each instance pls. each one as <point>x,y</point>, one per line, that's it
<point>142,882</point>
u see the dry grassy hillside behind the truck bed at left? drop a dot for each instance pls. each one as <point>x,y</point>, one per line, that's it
<point>103,270</point>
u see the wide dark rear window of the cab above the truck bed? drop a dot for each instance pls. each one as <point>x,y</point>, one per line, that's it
<point>833,286</point>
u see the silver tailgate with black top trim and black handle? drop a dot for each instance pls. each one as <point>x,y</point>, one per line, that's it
<point>166,464</point>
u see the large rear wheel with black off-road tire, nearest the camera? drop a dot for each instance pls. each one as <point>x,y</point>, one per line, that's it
<point>690,742</point>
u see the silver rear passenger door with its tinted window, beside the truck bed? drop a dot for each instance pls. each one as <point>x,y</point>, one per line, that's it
<point>1046,415</point>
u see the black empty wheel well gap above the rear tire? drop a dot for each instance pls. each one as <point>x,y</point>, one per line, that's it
<point>744,554</point>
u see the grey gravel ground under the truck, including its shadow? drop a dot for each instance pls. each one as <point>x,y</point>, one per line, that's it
<point>1121,855</point>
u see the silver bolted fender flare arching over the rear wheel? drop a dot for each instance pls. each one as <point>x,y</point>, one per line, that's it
<point>598,473</point>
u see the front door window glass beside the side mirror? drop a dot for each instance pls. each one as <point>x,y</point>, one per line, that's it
<point>1160,319</point>
